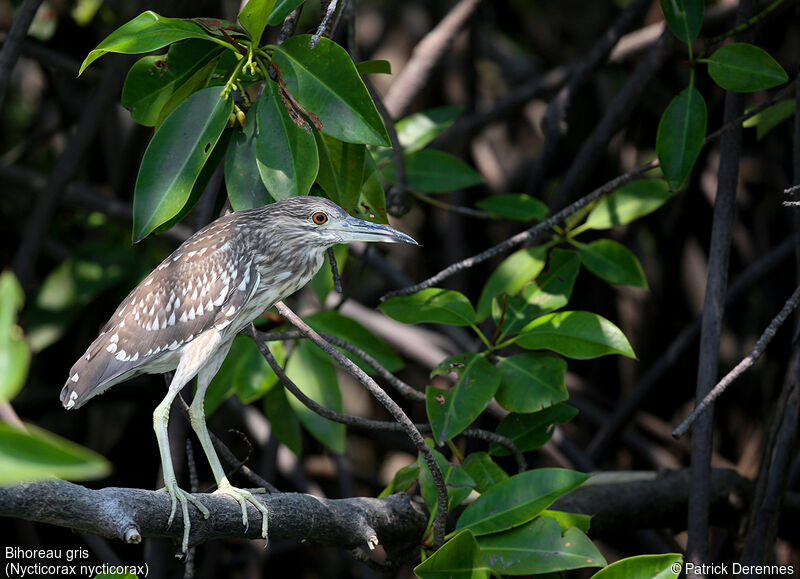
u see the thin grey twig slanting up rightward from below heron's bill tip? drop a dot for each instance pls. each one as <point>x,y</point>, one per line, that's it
<point>528,234</point>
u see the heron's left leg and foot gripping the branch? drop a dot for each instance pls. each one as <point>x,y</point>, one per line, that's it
<point>178,495</point>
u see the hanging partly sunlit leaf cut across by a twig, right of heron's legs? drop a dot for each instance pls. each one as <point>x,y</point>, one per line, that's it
<point>317,380</point>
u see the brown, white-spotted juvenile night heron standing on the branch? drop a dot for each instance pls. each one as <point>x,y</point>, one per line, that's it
<point>185,314</point>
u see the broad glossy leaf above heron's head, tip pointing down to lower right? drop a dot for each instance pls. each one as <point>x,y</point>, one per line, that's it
<point>326,83</point>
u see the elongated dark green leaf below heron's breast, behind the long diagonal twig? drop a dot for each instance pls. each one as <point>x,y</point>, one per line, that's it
<point>346,328</point>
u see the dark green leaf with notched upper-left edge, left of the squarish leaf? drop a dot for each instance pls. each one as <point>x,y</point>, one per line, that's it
<point>451,411</point>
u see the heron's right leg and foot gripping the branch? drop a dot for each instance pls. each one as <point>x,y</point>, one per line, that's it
<point>198,419</point>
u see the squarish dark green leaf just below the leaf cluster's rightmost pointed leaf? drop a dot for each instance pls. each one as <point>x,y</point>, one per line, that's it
<point>531,381</point>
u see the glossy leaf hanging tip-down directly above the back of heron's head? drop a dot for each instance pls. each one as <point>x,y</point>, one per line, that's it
<point>286,153</point>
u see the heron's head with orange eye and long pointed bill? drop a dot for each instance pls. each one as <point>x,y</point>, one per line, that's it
<point>321,222</point>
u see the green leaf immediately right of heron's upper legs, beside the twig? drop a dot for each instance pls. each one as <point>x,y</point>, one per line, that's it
<point>244,372</point>
